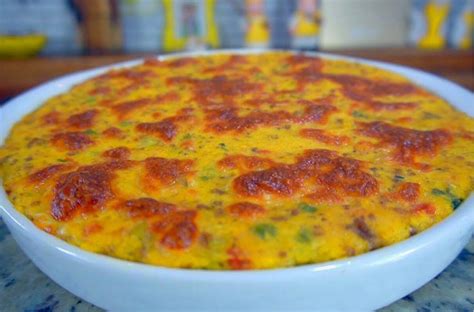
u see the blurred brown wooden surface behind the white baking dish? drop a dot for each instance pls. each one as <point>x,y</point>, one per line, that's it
<point>19,75</point>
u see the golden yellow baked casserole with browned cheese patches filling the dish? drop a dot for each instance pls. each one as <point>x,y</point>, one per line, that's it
<point>239,161</point>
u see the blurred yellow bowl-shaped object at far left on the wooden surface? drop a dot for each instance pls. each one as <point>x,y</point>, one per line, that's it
<point>21,46</point>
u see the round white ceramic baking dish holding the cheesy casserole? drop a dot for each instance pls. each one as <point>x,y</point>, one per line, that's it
<point>364,282</point>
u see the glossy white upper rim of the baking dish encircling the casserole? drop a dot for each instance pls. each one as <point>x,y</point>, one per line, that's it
<point>464,213</point>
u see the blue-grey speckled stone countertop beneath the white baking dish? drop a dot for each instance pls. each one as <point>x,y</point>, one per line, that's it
<point>24,288</point>
